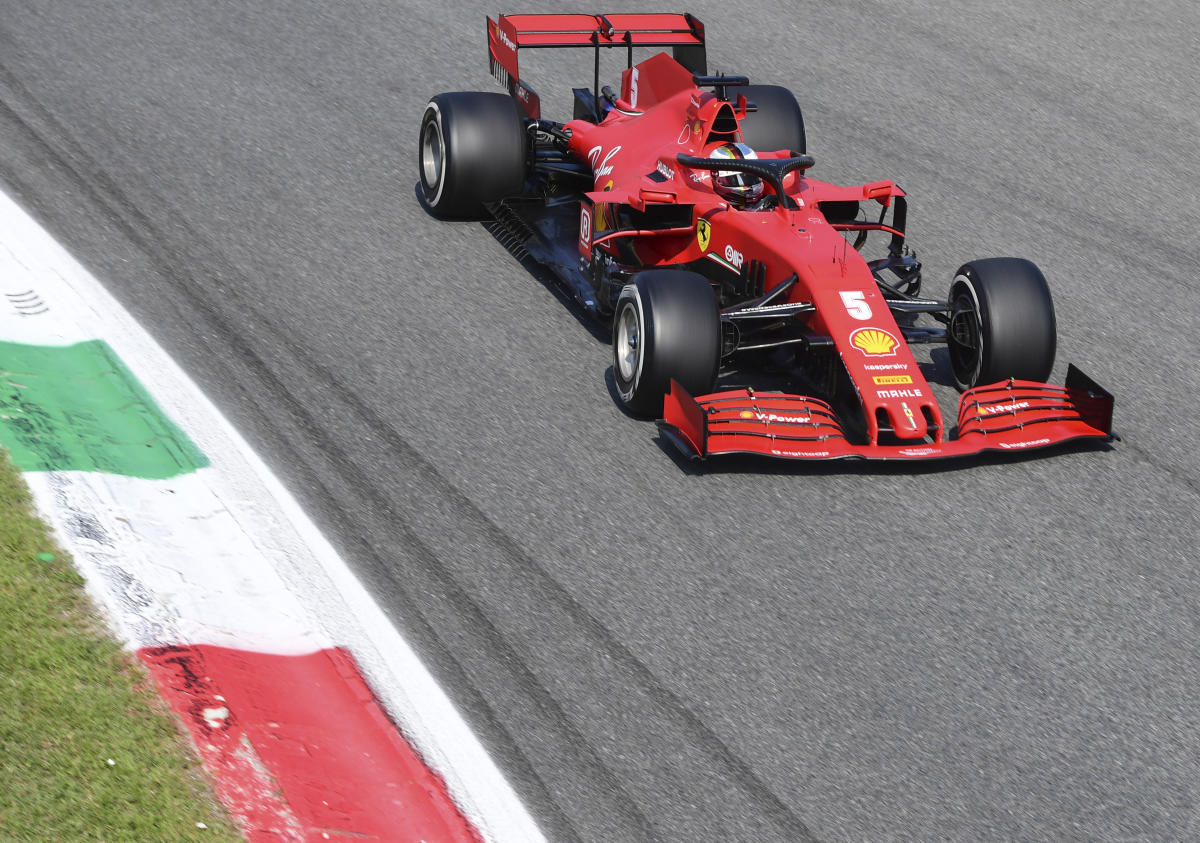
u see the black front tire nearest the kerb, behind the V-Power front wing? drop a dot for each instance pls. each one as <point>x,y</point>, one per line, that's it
<point>665,326</point>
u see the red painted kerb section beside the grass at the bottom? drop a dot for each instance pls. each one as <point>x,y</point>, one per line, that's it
<point>301,749</point>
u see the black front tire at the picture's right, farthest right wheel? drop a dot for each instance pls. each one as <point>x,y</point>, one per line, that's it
<point>1003,324</point>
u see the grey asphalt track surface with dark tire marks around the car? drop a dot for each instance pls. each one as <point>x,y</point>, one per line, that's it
<point>1005,649</point>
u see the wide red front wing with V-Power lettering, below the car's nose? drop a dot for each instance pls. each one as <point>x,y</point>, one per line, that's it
<point>1011,416</point>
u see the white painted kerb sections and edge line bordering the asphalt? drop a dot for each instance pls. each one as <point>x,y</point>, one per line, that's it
<point>275,554</point>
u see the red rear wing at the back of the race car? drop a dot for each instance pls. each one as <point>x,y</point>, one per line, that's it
<point>509,33</point>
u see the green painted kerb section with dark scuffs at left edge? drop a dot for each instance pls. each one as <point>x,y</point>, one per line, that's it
<point>79,408</point>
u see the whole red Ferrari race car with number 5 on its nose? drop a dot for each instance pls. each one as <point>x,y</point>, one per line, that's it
<point>682,212</point>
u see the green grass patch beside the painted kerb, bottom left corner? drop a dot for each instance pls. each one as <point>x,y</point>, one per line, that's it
<point>71,699</point>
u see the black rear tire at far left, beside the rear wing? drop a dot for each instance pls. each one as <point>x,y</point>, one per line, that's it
<point>472,151</point>
